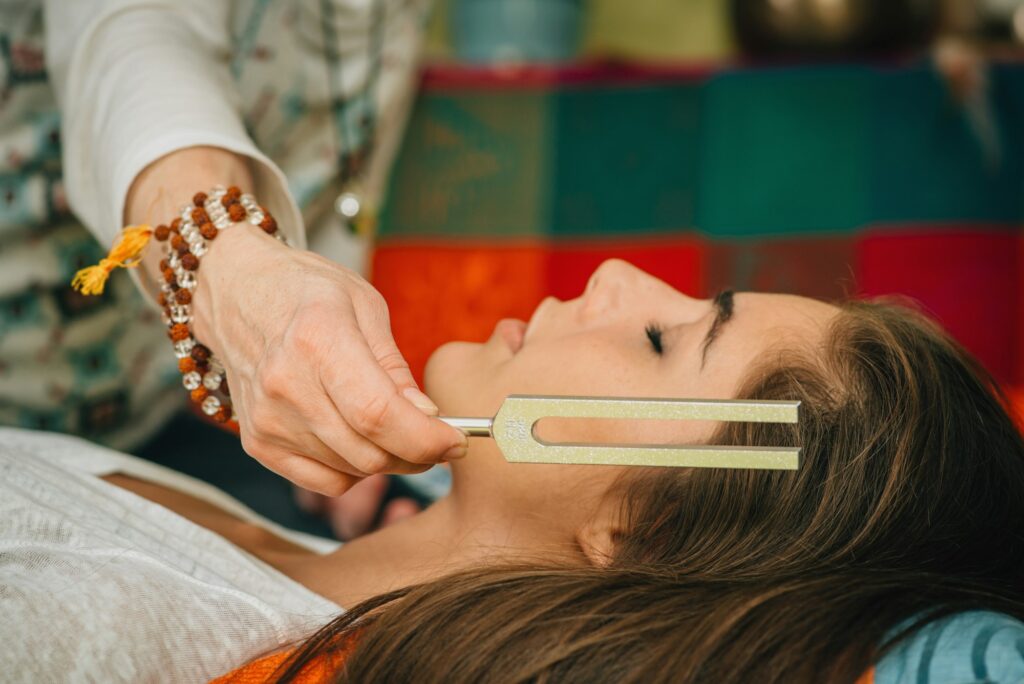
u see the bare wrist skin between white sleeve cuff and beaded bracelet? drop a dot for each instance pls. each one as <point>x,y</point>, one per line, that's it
<point>159,192</point>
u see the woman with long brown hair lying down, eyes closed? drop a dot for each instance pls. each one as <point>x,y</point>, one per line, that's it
<point>894,554</point>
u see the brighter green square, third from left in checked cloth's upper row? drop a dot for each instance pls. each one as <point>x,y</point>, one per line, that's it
<point>785,152</point>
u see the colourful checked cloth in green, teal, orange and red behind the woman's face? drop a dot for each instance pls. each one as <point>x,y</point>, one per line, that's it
<point>823,182</point>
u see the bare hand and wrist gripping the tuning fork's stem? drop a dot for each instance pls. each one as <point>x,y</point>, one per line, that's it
<point>321,392</point>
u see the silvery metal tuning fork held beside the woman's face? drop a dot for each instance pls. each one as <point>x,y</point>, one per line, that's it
<point>514,430</point>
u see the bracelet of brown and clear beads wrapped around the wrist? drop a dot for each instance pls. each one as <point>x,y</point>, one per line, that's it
<point>185,242</point>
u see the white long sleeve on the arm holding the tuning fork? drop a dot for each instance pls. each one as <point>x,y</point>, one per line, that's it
<point>139,79</point>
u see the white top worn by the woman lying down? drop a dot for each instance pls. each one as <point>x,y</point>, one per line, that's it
<point>100,585</point>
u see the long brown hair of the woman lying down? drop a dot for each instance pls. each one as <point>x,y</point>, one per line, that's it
<point>909,506</point>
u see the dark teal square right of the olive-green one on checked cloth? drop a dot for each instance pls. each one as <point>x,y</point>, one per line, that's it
<point>626,159</point>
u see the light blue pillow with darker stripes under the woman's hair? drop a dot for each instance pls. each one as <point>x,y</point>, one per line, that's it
<point>968,648</point>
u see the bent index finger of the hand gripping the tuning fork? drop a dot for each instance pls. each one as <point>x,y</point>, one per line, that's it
<point>369,401</point>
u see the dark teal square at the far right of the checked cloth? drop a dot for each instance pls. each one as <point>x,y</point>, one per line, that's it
<point>929,161</point>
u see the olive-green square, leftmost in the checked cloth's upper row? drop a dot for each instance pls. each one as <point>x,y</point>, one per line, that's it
<point>474,163</point>
